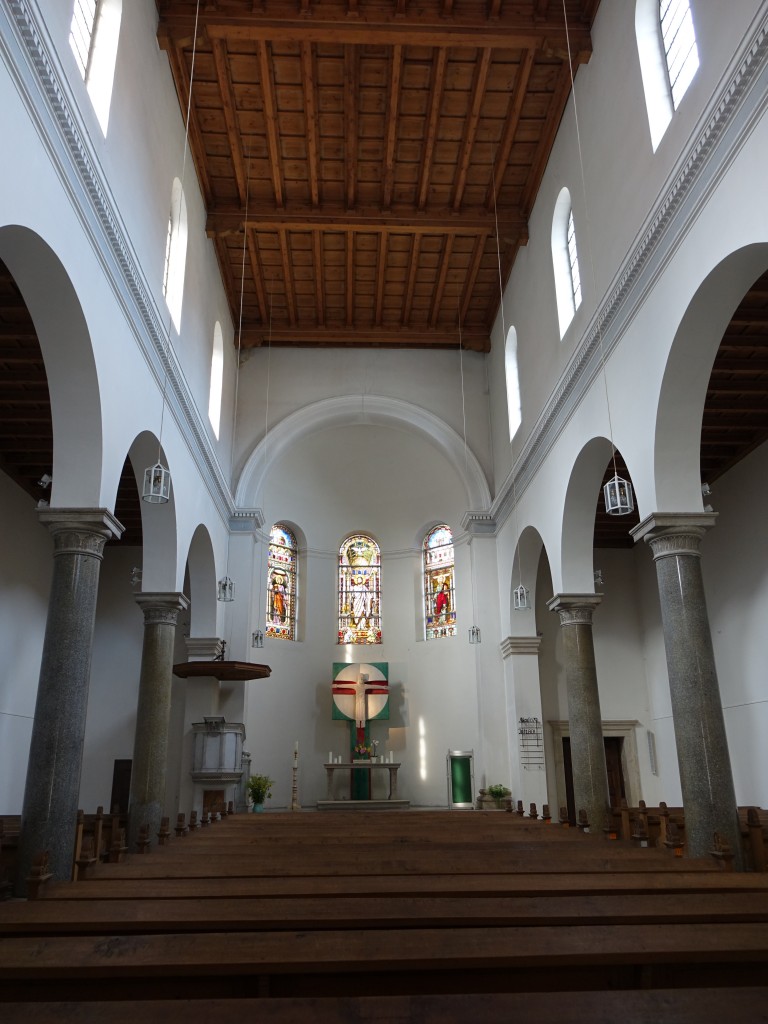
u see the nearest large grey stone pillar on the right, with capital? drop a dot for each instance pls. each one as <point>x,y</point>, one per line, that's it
<point>706,778</point>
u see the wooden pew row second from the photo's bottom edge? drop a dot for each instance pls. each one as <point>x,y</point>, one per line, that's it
<point>385,961</point>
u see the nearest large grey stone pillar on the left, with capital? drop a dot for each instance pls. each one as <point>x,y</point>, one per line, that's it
<point>53,792</point>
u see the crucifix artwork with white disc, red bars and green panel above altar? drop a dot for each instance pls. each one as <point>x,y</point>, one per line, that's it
<point>361,696</point>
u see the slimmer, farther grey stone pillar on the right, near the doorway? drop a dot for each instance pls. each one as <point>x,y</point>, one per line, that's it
<point>587,749</point>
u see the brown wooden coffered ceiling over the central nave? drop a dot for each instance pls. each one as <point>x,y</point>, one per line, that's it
<point>369,148</point>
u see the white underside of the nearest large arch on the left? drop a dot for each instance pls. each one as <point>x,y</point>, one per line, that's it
<point>70,367</point>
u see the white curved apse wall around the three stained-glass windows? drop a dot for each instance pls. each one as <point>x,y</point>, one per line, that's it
<point>394,485</point>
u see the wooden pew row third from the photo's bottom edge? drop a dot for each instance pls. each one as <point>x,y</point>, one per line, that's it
<point>206,914</point>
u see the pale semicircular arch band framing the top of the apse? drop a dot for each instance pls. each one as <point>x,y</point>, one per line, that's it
<point>354,411</point>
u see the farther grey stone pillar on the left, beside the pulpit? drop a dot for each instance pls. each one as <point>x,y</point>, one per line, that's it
<point>151,744</point>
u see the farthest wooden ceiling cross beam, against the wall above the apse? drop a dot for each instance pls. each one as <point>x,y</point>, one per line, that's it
<point>353,337</point>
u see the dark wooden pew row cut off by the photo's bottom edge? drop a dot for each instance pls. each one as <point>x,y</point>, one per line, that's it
<point>704,1006</point>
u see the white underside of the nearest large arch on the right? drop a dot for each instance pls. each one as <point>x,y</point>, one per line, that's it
<point>678,429</point>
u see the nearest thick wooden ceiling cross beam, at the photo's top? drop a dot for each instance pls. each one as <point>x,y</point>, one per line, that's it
<point>419,27</point>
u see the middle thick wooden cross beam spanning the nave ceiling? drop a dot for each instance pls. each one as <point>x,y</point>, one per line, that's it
<point>225,221</point>
